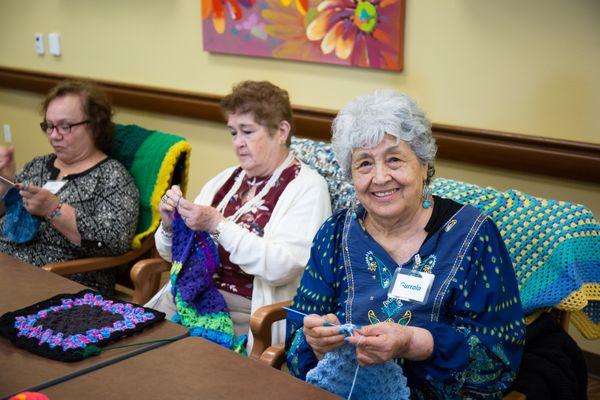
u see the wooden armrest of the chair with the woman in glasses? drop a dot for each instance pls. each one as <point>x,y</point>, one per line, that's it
<point>98,263</point>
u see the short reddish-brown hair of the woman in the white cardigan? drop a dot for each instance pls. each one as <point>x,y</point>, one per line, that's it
<point>269,104</point>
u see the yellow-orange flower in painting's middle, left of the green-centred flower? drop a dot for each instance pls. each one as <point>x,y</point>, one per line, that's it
<point>289,25</point>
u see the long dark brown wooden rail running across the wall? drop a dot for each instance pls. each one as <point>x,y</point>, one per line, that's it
<point>531,154</point>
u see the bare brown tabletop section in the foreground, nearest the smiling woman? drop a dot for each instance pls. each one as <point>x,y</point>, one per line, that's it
<point>187,369</point>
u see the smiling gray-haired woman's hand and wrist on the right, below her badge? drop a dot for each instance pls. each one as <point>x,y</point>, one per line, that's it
<point>388,340</point>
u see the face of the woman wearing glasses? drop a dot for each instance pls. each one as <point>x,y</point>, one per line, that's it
<point>79,143</point>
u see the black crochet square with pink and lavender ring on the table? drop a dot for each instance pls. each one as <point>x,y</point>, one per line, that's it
<point>71,327</point>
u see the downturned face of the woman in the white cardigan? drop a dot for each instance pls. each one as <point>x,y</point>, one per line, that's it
<point>259,152</point>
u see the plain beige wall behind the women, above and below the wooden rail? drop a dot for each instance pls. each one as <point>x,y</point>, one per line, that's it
<point>523,67</point>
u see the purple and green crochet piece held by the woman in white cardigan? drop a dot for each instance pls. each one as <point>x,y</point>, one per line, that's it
<point>200,306</point>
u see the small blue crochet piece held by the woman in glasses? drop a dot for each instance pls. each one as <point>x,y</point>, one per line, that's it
<point>20,226</point>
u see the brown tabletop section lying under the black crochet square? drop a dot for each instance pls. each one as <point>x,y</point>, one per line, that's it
<point>21,285</point>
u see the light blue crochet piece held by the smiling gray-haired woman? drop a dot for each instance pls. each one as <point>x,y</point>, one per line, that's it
<point>335,373</point>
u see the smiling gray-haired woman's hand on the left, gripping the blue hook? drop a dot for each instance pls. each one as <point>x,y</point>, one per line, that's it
<point>321,338</point>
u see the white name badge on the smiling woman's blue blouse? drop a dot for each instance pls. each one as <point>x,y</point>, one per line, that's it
<point>411,286</point>
